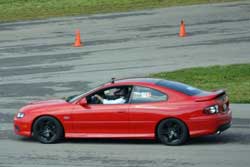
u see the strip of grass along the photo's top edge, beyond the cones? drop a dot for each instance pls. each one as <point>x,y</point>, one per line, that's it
<point>11,10</point>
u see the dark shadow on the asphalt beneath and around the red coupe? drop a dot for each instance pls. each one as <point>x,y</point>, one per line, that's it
<point>232,136</point>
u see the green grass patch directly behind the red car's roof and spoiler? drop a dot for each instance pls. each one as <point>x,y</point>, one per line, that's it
<point>234,78</point>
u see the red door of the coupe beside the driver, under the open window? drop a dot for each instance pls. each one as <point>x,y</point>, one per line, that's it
<point>101,120</point>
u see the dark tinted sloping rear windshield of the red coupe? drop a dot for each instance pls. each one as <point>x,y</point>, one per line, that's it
<point>180,87</point>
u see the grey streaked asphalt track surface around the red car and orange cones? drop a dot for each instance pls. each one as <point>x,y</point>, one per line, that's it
<point>37,61</point>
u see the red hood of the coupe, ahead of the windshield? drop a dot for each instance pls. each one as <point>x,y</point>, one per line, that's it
<point>48,104</point>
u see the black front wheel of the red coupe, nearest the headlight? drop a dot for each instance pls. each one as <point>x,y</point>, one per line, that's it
<point>47,130</point>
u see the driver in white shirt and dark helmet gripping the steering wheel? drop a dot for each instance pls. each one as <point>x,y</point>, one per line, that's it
<point>122,93</point>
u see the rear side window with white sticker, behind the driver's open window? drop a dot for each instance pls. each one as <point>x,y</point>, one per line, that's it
<point>143,95</point>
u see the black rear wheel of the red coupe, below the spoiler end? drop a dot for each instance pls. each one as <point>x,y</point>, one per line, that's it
<point>172,132</point>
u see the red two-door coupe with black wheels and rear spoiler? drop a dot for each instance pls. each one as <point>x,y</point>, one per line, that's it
<point>139,108</point>
